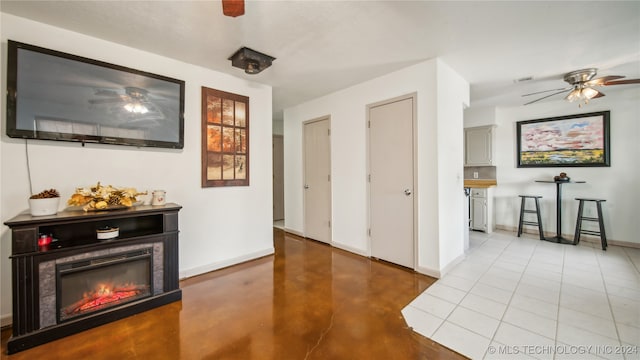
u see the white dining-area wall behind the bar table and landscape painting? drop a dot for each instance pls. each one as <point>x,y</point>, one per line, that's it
<point>617,184</point>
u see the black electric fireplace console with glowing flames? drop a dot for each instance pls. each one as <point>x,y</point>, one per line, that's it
<point>77,282</point>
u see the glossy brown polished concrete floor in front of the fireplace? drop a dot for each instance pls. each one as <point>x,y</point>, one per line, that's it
<point>309,301</point>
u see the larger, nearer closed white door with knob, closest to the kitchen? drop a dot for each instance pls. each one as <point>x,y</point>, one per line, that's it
<point>391,182</point>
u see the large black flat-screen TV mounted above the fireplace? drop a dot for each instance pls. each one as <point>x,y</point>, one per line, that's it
<point>58,96</point>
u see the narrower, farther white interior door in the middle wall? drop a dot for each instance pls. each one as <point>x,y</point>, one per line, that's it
<point>317,177</point>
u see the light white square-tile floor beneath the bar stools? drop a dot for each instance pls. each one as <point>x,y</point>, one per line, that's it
<point>522,298</point>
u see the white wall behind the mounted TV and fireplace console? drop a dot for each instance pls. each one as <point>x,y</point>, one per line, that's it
<point>218,226</point>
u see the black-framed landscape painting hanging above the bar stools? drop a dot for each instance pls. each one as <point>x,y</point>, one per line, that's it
<point>580,140</point>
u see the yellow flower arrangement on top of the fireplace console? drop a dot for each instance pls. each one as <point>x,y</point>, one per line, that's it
<point>102,197</point>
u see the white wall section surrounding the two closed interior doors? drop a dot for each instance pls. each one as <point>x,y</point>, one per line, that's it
<point>440,96</point>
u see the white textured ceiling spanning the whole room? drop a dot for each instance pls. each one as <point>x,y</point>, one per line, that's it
<point>324,46</point>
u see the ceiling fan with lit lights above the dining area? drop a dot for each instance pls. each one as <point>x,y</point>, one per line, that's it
<point>582,86</point>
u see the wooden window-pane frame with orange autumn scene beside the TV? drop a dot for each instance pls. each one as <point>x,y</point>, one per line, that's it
<point>225,138</point>
